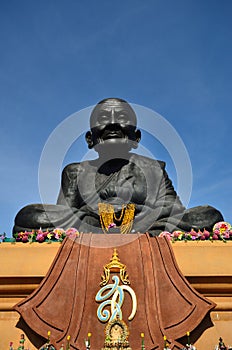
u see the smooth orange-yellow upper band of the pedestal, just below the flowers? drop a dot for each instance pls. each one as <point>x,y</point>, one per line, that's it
<point>194,258</point>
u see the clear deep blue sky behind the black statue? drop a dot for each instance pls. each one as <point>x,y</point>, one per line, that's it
<point>58,57</point>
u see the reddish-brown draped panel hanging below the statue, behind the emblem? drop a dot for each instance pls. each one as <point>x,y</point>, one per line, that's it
<point>64,303</point>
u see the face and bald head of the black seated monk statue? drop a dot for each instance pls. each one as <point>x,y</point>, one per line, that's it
<point>113,122</point>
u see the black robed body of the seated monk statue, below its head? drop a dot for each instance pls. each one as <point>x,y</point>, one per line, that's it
<point>138,180</point>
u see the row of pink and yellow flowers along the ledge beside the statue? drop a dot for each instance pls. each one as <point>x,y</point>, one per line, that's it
<point>222,231</point>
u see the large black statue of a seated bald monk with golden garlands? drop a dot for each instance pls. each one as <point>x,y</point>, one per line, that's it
<point>120,190</point>
